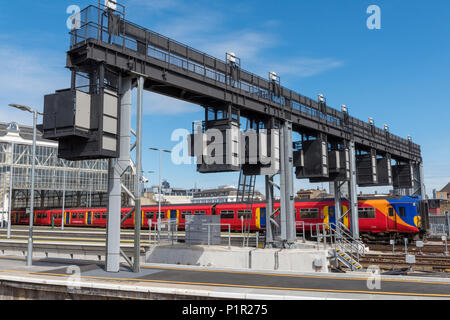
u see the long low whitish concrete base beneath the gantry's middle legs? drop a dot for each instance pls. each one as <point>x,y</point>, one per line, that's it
<point>296,260</point>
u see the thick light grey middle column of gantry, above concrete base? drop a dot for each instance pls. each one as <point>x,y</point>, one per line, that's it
<point>287,214</point>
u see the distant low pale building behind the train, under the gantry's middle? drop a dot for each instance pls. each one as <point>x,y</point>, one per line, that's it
<point>223,194</point>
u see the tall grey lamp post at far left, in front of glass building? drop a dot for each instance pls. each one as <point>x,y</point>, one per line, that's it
<point>33,155</point>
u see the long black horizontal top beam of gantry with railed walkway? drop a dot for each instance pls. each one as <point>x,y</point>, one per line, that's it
<point>178,71</point>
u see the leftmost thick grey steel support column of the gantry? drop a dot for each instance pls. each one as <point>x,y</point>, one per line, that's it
<point>116,167</point>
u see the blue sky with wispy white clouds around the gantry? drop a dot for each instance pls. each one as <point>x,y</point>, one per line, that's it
<point>398,75</point>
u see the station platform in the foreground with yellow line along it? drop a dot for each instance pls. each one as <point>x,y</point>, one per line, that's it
<point>63,279</point>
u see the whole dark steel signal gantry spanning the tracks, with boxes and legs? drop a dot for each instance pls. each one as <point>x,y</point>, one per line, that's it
<point>112,55</point>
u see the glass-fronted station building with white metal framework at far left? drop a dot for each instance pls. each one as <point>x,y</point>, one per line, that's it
<point>84,183</point>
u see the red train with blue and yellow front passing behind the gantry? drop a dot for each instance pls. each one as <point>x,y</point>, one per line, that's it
<point>395,215</point>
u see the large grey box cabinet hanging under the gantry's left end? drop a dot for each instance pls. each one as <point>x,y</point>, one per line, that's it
<point>85,125</point>
